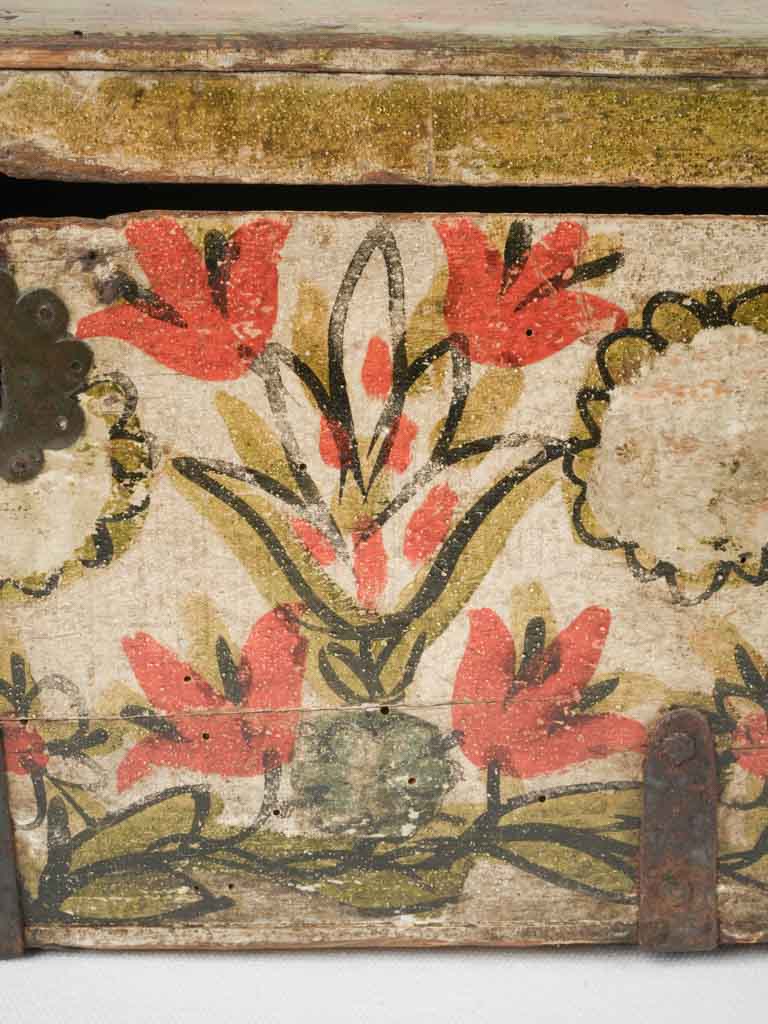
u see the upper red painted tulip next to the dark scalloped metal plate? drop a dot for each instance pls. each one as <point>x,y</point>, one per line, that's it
<point>207,316</point>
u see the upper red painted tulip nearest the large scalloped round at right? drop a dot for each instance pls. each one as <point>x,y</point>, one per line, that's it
<point>520,309</point>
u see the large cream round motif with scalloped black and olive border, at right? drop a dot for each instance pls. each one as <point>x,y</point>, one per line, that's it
<point>627,495</point>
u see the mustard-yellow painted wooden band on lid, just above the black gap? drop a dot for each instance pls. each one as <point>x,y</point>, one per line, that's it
<point>301,129</point>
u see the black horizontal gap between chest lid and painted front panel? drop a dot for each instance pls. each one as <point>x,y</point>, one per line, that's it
<point>65,199</point>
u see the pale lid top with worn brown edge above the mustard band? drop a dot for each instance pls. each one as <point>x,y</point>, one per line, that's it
<point>602,37</point>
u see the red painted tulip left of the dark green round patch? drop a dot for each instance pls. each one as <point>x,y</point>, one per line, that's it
<point>227,742</point>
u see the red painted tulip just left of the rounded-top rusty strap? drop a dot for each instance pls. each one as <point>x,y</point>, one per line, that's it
<point>526,717</point>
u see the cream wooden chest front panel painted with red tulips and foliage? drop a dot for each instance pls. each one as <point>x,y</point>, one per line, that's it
<point>385,543</point>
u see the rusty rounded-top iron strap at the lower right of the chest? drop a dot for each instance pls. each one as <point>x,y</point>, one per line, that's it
<point>679,847</point>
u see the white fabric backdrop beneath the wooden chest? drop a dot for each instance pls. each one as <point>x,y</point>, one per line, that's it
<point>416,988</point>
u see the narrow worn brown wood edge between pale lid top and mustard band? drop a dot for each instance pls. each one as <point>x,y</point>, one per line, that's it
<point>634,56</point>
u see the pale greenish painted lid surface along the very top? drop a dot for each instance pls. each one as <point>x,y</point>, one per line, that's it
<point>530,20</point>
